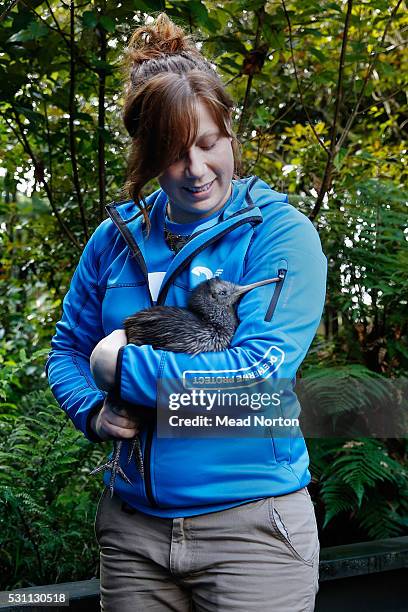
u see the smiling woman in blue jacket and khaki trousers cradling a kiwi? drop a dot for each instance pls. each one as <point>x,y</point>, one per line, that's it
<point>216,523</point>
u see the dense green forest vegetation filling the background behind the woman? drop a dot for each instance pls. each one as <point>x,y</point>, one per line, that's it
<point>321,112</point>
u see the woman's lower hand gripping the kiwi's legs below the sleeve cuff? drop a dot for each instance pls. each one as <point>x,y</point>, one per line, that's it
<point>114,422</point>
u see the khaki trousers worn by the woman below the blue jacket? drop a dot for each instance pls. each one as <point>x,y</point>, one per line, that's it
<point>260,556</point>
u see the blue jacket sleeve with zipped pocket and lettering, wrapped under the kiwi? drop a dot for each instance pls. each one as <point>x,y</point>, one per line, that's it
<point>280,319</point>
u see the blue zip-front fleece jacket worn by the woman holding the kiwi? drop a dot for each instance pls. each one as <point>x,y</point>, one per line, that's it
<point>258,235</point>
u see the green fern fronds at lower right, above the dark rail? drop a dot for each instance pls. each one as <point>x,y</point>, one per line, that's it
<point>357,480</point>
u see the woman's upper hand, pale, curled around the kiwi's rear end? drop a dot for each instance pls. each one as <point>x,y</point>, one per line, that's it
<point>103,359</point>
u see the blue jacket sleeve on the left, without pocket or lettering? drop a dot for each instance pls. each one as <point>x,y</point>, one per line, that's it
<point>77,333</point>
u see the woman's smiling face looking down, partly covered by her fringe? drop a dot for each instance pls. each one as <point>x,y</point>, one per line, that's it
<point>208,164</point>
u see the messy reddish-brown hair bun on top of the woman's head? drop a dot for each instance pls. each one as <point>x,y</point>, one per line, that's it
<point>160,38</point>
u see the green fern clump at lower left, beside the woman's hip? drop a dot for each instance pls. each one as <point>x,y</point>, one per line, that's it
<point>47,499</point>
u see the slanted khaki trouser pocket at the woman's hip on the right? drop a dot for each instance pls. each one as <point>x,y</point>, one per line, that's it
<point>293,521</point>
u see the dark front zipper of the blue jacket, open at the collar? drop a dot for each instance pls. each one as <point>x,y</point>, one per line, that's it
<point>118,221</point>
